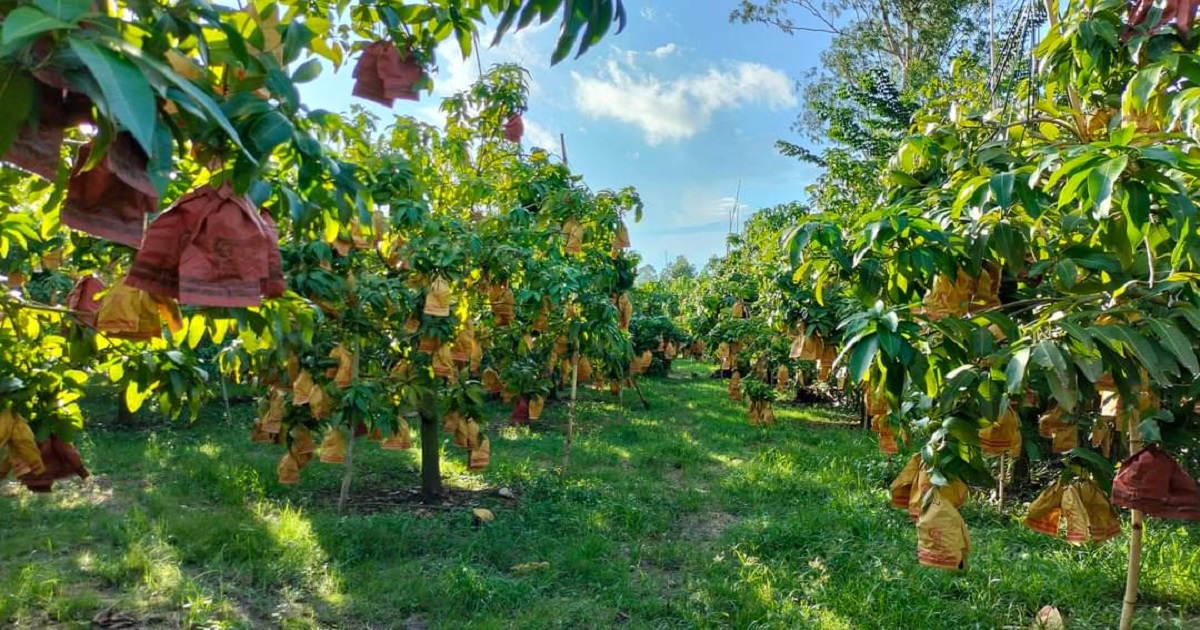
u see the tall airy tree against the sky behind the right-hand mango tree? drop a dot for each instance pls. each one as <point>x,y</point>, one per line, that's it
<point>877,73</point>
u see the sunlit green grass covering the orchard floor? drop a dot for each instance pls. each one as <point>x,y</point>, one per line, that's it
<point>683,517</point>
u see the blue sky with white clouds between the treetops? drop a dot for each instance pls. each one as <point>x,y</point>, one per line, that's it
<point>683,106</point>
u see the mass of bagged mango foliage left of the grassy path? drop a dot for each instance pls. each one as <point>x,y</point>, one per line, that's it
<point>397,263</point>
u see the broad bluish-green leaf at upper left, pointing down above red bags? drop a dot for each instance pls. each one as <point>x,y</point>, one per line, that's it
<point>127,92</point>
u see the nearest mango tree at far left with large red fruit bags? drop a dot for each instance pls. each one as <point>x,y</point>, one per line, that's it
<point>119,109</point>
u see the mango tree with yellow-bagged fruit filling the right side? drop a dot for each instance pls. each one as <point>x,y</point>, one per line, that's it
<point>1034,268</point>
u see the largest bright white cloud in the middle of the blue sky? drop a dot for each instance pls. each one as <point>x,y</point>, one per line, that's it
<point>677,109</point>
